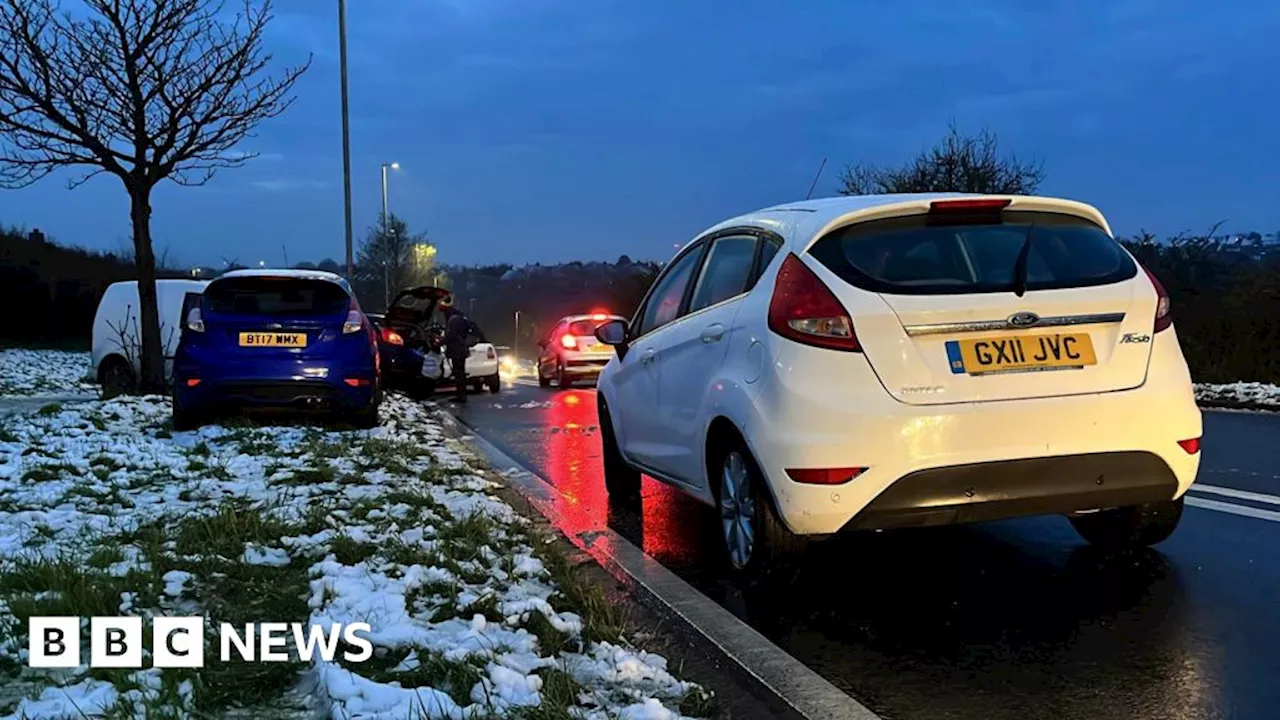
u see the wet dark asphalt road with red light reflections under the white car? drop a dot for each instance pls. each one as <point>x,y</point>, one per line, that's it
<point>1003,621</point>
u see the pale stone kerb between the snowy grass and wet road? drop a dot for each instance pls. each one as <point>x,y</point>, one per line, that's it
<point>801,689</point>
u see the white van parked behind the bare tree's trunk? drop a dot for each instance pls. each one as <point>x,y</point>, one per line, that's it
<point>117,354</point>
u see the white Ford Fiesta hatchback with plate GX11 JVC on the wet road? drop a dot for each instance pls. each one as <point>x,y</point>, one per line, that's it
<point>906,361</point>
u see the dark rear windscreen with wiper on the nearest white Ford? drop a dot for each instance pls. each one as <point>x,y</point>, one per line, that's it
<point>918,256</point>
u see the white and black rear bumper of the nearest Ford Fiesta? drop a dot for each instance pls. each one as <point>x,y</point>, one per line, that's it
<point>970,462</point>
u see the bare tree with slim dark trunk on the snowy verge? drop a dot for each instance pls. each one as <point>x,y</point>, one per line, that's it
<point>143,90</point>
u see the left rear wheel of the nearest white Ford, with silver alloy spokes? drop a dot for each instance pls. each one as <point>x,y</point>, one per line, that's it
<point>753,536</point>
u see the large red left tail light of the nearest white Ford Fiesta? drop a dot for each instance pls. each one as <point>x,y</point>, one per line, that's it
<point>806,311</point>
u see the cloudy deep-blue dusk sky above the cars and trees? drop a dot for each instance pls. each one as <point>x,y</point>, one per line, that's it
<point>560,130</point>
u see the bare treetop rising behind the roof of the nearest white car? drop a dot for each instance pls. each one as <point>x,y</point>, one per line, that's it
<point>958,163</point>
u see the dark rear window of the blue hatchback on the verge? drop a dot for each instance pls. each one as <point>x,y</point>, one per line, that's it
<point>276,297</point>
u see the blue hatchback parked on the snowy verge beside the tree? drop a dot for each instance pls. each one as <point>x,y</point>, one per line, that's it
<point>277,340</point>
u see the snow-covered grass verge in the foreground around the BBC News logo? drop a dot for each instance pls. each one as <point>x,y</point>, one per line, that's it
<point>473,613</point>
